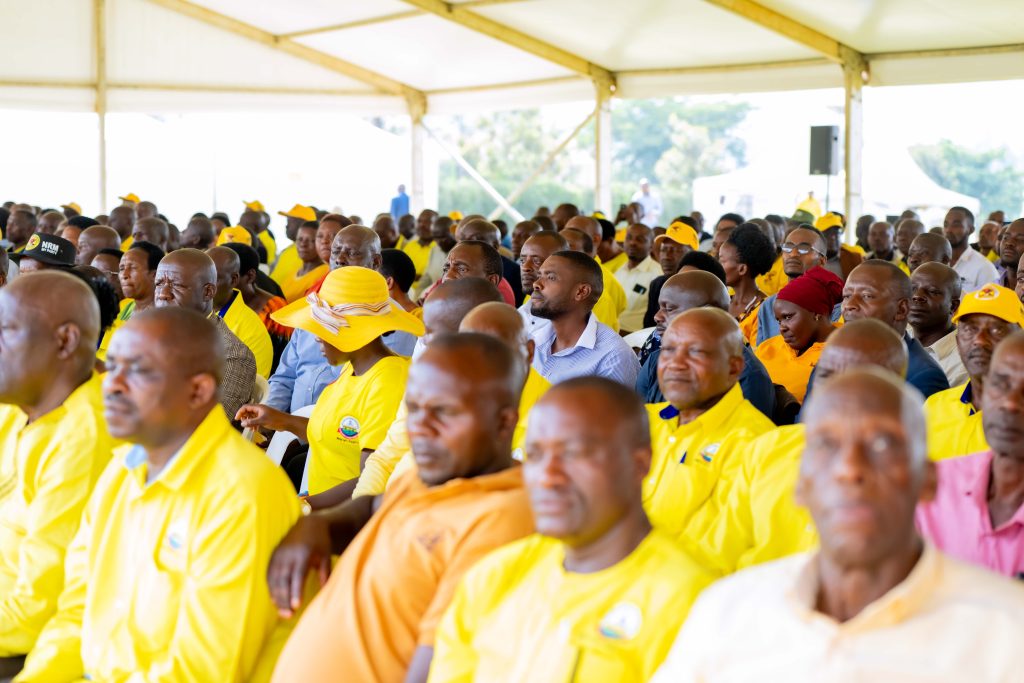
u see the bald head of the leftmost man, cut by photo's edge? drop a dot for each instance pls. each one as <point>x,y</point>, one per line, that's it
<point>52,329</point>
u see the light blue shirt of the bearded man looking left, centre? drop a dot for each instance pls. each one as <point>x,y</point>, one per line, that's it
<point>600,352</point>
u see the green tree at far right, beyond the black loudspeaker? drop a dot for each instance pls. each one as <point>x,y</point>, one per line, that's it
<point>990,176</point>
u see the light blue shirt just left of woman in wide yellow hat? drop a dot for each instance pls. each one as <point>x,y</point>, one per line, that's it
<point>302,375</point>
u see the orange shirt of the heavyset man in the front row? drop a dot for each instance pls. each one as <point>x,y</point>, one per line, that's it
<point>392,586</point>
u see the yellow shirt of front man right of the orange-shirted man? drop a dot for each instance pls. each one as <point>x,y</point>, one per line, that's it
<point>520,617</point>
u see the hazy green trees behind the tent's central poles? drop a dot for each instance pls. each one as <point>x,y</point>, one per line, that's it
<point>670,142</point>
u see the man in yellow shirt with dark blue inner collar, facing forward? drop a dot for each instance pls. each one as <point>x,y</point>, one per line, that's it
<point>706,425</point>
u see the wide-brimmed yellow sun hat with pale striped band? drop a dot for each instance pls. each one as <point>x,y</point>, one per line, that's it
<point>352,310</point>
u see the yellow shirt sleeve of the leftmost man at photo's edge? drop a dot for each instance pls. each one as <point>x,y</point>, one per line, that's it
<point>63,483</point>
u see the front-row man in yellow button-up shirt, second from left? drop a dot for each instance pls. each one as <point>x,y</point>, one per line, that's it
<point>166,577</point>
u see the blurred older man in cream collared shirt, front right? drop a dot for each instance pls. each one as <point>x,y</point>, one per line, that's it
<point>876,603</point>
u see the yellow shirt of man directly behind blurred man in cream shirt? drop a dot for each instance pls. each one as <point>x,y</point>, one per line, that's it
<point>760,520</point>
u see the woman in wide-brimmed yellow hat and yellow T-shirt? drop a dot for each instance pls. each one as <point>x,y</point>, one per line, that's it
<point>349,316</point>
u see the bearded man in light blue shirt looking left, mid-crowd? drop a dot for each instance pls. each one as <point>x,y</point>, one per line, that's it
<point>576,345</point>
